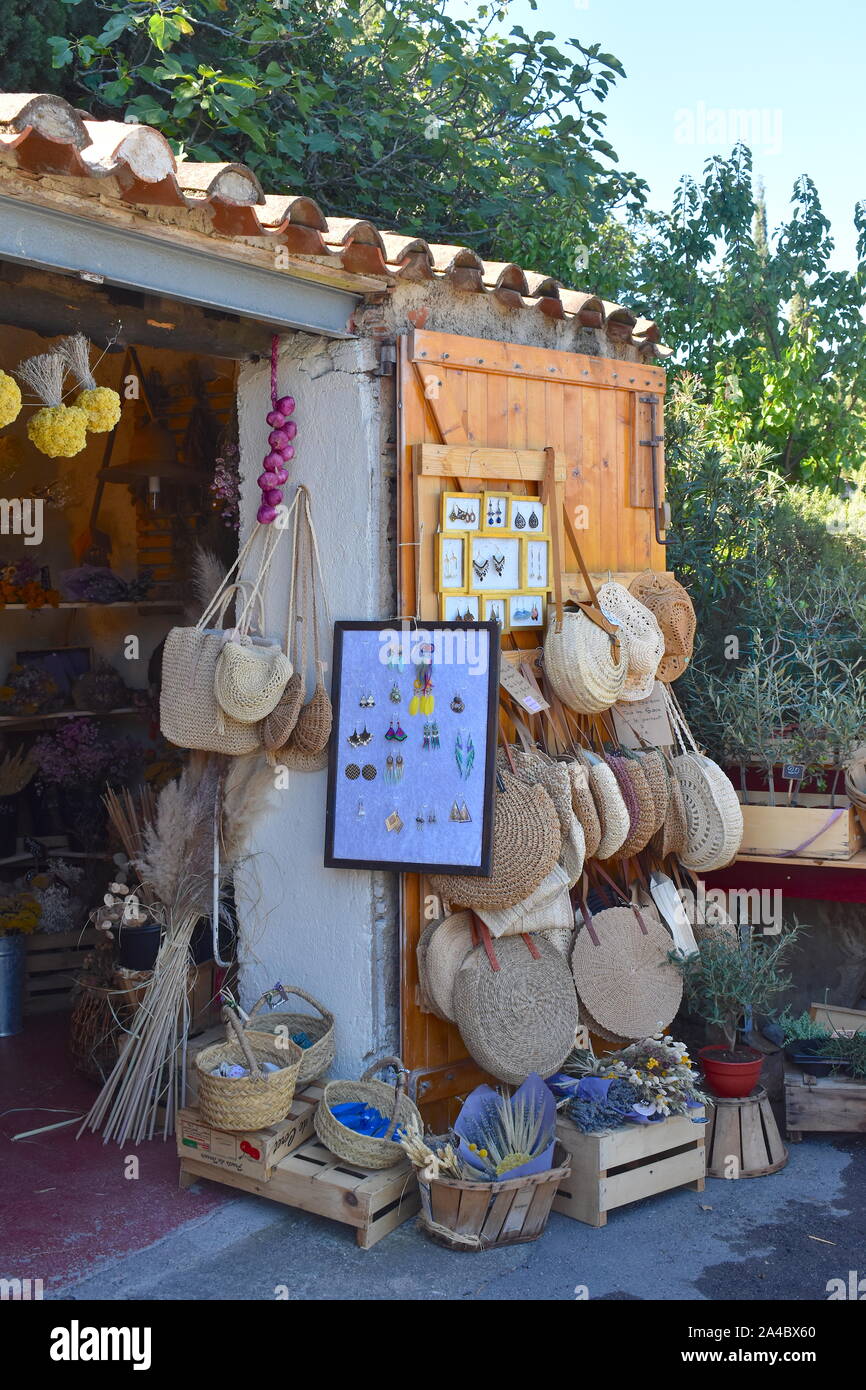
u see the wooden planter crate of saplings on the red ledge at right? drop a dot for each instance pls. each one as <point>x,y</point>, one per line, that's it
<point>772,831</point>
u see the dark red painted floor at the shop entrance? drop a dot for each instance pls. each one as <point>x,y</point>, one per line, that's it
<point>66,1204</point>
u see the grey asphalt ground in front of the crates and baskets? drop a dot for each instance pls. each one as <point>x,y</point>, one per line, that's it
<point>747,1239</point>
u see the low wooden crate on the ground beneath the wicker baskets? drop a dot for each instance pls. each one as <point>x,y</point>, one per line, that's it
<point>315,1181</point>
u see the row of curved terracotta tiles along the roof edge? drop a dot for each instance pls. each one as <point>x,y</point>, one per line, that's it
<point>42,134</point>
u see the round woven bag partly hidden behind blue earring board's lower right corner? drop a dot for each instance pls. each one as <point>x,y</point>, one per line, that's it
<point>528,843</point>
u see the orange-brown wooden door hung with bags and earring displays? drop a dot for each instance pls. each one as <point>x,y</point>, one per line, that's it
<point>490,395</point>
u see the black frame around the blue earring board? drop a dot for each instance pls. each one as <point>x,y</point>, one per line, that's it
<point>412,630</point>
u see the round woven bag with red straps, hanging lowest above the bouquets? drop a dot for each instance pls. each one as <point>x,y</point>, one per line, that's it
<point>521,1018</point>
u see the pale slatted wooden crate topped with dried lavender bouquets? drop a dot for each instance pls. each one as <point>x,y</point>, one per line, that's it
<point>618,1167</point>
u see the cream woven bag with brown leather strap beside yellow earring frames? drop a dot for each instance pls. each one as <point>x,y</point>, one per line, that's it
<point>582,665</point>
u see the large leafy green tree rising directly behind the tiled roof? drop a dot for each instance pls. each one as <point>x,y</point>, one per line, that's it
<point>386,109</point>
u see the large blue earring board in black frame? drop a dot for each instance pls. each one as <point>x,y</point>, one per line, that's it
<point>419,794</point>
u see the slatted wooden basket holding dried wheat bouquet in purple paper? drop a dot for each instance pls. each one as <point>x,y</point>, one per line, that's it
<point>471,1216</point>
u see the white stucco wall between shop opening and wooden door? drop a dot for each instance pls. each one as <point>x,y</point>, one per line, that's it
<point>333,932</point>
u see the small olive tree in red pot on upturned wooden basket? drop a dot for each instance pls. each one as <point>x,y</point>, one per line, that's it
<point>728,981</point>
